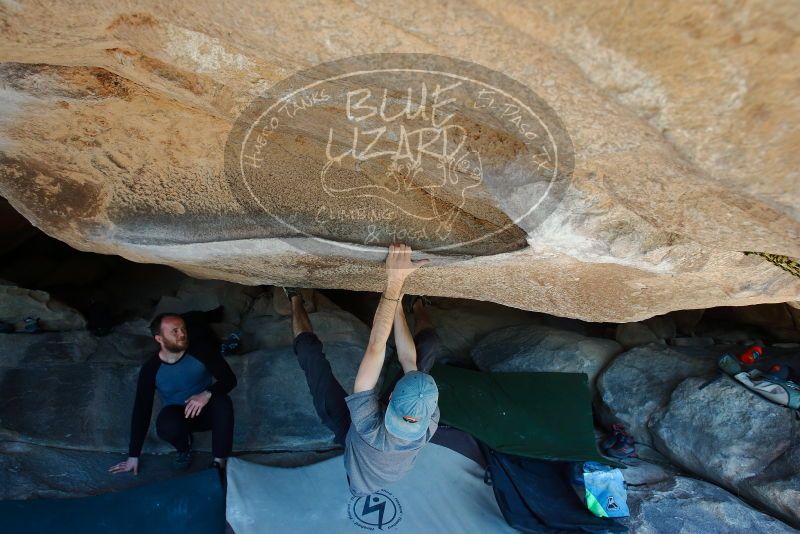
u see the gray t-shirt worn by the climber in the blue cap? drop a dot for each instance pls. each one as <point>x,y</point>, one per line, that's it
<point>373,457</point>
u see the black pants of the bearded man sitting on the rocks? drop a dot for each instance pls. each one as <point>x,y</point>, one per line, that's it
<point>217,416</point>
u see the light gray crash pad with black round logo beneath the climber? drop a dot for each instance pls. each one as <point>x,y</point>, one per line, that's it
<point>443,493</point>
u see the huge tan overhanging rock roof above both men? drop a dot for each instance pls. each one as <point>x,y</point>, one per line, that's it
<point>115,126</point>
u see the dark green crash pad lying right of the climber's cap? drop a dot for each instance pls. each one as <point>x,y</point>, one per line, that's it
<point>539,415</point>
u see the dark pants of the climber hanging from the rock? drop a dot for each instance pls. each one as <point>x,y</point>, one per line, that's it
<point>328,393</point>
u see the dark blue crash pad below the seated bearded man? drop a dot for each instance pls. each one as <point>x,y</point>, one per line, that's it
<point>194,503</point>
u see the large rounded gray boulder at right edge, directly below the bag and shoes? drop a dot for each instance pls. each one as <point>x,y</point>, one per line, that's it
<point>726,434</point>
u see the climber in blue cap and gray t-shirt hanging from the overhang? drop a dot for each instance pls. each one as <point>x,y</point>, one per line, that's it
<point>381,446</point>
